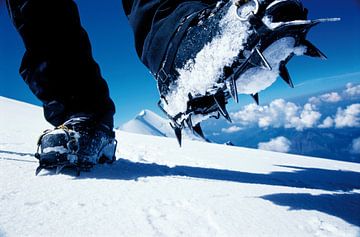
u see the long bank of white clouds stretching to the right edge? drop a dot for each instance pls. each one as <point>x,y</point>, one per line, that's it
<point>280,113</point>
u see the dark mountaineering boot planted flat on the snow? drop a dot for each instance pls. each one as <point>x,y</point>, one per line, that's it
<point>79,143</point>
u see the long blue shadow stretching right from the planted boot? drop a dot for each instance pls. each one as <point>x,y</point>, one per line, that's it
<point>298,177</point>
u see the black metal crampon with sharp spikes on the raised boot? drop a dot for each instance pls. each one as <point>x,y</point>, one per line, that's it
<point>264,33</point>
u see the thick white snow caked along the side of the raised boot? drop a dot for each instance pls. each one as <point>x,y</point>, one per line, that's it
<point>201,73</point>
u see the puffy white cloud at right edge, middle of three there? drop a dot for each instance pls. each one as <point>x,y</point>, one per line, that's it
<point>349,117</point>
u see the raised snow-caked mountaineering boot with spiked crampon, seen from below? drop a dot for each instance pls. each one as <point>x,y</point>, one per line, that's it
<point>233,47</point>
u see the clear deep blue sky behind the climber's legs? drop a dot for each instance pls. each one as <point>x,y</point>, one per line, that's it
<point>133,88</point>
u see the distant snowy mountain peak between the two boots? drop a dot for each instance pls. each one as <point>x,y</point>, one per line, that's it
<point>149,123</point>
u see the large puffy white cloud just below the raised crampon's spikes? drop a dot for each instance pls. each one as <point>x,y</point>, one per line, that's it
<point>279,113</point>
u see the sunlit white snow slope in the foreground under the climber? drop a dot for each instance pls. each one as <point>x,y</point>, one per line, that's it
<point>156,188</point>
